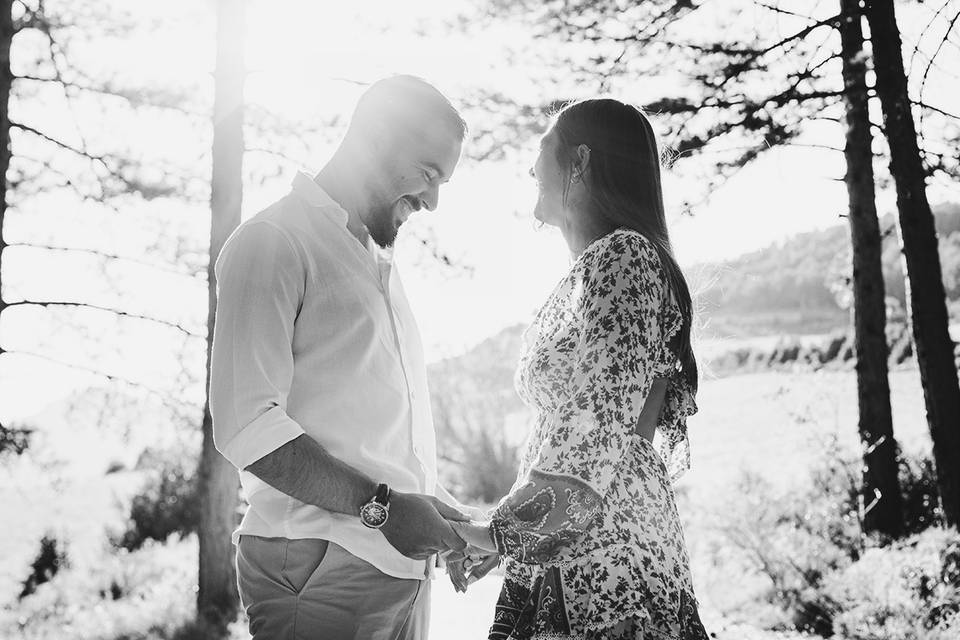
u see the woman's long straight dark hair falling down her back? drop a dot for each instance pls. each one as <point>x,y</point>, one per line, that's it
<point>624,183</point>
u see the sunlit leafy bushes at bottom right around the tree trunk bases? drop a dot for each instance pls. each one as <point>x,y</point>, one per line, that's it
<point>822,571</point>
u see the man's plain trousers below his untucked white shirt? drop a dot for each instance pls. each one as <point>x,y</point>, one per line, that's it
<point>312,589</point>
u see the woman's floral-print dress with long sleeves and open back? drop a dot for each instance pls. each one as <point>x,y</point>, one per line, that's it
<point>590,532</point>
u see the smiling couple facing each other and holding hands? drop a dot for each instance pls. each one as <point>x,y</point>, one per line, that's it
<point>319,395</point>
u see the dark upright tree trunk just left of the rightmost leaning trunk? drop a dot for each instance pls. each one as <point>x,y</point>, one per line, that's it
<point>881,482</point>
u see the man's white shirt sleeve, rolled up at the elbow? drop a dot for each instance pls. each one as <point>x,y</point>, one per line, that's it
<point>260,287</point>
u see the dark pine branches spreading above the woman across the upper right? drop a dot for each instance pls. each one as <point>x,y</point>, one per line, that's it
<point>727,83</point>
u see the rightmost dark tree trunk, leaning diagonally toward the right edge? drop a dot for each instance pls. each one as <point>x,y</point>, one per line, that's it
<point>928,309</point>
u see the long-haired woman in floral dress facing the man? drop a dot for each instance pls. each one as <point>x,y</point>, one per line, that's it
<point>590,532</point>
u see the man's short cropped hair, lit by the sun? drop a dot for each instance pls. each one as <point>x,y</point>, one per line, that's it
<point>405,103</point>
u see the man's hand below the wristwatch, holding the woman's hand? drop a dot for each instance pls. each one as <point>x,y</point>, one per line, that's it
<point>419,527</point>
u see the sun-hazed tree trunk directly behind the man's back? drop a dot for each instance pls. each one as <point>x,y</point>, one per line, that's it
<point>217,596</point>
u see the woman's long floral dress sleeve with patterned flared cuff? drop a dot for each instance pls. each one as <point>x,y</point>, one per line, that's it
<point>613,358</point>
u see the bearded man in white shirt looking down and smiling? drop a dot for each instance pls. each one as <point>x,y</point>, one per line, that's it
<point>318,385</point>
